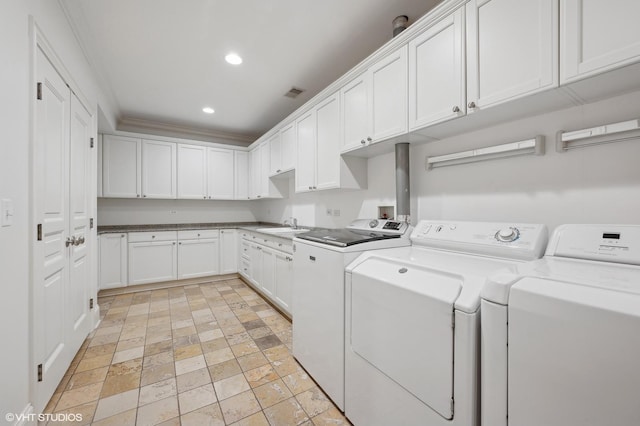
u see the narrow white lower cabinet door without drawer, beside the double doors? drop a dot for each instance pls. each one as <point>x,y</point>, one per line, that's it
<point>113,261</point>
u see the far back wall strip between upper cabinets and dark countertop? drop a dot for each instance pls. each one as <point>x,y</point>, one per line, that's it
<point>119,211</point>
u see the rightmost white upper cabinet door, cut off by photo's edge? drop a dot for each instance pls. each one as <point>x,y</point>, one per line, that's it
<point>596,36</point>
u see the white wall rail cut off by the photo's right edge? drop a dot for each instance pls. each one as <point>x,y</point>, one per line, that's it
<point>609,133</point>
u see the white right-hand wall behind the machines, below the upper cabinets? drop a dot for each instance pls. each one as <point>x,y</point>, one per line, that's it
<point>590,185</point>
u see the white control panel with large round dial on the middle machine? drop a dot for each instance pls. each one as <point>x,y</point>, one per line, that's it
<point>523,241</point>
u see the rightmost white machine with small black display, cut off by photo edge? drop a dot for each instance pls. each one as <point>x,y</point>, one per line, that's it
<point>561,336</point>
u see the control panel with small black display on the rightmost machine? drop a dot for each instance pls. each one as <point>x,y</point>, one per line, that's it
<point>605,243</point>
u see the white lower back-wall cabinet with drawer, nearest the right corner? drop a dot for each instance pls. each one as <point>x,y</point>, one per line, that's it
<point>198,253</point>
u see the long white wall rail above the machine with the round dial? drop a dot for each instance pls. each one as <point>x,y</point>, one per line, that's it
<point>533,146</point>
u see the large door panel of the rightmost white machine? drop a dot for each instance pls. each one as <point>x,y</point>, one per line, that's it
<point>573,355</point>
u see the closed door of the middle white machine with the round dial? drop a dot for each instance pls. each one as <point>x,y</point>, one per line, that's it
<point>401,323</point>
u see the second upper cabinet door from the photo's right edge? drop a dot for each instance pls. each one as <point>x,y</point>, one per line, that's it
<point>512,50</point>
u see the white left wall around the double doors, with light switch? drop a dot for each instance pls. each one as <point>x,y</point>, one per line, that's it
<point>16,366</point>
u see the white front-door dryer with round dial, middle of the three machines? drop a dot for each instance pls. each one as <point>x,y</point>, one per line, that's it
<point>412,321</point>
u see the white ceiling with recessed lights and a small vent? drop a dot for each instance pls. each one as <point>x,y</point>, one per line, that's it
<point>163,60</point>
